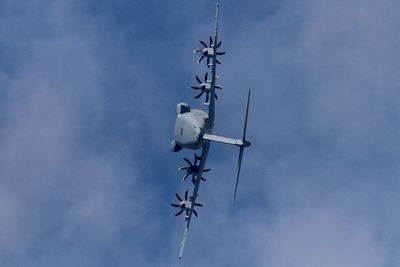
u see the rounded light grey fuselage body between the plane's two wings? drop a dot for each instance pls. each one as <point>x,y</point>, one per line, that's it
<point>189,127</point>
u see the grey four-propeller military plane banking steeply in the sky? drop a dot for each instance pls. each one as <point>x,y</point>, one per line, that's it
<point>193,130</point>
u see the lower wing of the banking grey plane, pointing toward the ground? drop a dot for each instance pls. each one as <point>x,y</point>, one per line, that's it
<point>194,195</point>
